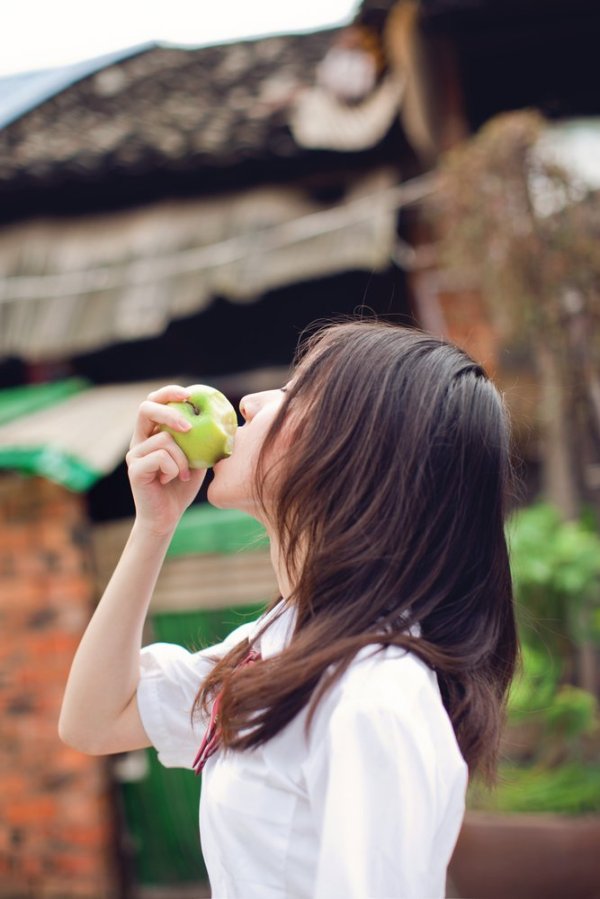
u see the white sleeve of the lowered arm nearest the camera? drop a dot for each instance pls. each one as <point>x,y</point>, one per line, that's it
<point>372,786</point>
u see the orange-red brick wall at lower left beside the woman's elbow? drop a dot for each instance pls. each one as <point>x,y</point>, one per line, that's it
<point>55,812</point>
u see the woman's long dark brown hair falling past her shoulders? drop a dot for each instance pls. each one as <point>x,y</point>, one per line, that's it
<point>389,509</point>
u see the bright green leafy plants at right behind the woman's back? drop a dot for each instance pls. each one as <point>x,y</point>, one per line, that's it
<point>556,572</point>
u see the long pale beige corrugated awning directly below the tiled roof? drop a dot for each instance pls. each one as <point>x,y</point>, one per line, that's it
<point>68,286</point>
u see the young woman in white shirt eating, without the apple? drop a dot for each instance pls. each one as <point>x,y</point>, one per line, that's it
<point>336,733</point>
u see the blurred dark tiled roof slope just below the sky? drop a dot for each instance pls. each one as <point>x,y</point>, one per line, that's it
<point>166,109</point>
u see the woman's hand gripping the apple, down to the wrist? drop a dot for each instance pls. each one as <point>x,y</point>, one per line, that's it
<point>162,483</point>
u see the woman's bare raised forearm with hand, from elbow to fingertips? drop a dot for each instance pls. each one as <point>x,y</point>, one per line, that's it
<point>99,713</point>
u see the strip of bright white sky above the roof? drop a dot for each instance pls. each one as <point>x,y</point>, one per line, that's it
<point>40,34</point>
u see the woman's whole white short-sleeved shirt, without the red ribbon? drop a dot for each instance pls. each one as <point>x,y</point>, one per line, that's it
<point>369,807</point>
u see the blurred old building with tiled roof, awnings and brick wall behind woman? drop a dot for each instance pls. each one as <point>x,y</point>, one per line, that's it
<point>171,213</point>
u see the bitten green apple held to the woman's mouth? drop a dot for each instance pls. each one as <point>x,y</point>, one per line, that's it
<point>213,422</point>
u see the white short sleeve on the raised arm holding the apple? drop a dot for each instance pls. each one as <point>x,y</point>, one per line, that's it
<point>170,677</point>
